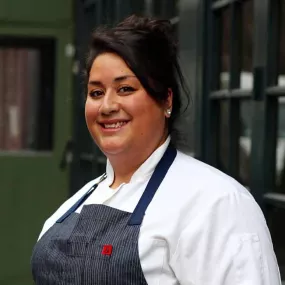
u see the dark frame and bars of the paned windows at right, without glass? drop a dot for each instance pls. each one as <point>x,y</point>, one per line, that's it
<point>264,95</point>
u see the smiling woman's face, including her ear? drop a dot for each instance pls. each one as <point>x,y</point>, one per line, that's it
<point>120,115</point>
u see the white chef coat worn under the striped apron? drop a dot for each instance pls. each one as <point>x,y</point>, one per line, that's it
<point>201,228</point>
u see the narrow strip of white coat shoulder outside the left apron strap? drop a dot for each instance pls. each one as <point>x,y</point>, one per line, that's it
<point>67,205</point>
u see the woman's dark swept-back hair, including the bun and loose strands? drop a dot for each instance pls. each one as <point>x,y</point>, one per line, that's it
<point>149,48</point>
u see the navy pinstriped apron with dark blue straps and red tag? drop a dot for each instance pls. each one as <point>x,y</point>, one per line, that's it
<point>99,245</point>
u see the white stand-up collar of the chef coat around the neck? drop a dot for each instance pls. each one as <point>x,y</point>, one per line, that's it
<point>145,170</point>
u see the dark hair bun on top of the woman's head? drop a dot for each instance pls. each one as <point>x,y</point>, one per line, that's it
<point>162,29</point>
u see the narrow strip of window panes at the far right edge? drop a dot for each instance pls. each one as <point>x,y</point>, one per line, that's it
<point>275,90</point>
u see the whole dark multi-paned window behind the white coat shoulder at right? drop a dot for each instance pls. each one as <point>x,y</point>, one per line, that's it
<point>244,101</point>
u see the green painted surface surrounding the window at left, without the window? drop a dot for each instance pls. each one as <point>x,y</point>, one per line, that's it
<point>32,185</point>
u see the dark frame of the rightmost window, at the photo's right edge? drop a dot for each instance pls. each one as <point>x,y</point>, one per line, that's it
<point>271,105</point>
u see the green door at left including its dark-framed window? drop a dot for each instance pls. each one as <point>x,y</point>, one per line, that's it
<point>35,113</point>
